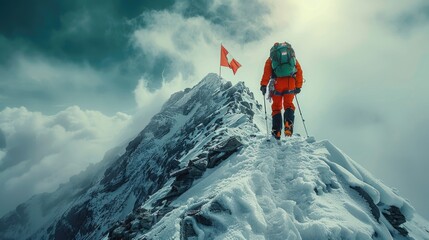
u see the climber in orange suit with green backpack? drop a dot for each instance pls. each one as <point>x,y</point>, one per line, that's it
<point>283,75</point>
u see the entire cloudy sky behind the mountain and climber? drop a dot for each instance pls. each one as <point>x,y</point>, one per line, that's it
<point>80,77</point>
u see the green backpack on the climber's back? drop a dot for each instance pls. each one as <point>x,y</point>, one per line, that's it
<point>283,59</point>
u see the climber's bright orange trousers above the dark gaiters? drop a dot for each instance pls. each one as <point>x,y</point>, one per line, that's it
<point>281,85</point>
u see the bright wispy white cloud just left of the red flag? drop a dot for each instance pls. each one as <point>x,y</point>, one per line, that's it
<point>174,43</point>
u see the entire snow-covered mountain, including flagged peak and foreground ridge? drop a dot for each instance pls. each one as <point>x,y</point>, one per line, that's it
<point>202,169</point>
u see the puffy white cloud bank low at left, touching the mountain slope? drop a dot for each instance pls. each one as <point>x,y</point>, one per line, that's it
<point>42,151</point>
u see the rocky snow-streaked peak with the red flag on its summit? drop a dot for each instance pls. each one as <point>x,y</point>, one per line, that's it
<point>191,123</point>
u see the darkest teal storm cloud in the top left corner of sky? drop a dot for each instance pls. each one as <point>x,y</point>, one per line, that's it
<point>94,31</point>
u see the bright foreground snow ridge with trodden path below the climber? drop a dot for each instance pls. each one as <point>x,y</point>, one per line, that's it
<point>298,190</point>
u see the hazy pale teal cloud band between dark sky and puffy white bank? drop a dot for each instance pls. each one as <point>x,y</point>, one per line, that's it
<point>49,85</point>
